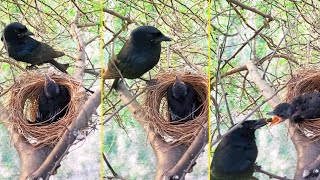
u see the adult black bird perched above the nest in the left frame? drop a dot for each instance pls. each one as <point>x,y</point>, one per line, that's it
<point>22,47</point>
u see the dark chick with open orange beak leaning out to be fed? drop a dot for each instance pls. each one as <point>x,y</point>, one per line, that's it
<point>303,107</point>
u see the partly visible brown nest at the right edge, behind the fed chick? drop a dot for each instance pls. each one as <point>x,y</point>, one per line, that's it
<point>305,80</point>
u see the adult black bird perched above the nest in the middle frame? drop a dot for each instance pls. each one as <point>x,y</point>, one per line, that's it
<point>138,55</point>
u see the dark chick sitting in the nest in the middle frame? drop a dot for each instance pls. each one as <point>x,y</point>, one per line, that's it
<point>183,102</point>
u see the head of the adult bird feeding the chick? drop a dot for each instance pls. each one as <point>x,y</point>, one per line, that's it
<point>247,128</point>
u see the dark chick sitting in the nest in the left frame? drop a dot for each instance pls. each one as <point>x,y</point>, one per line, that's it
<point>53,102</point>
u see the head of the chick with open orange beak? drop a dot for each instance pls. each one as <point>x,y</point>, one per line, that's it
<point>281,112</point>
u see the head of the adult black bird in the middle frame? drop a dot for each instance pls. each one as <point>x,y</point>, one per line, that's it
<point>148,35</point>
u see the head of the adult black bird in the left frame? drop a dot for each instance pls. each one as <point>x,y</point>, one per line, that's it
<point>14,32</point>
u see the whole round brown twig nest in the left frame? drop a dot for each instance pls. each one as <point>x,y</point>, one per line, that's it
<point>23,103</point>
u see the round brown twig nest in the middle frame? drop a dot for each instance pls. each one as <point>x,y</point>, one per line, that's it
<point>159,116</point>
